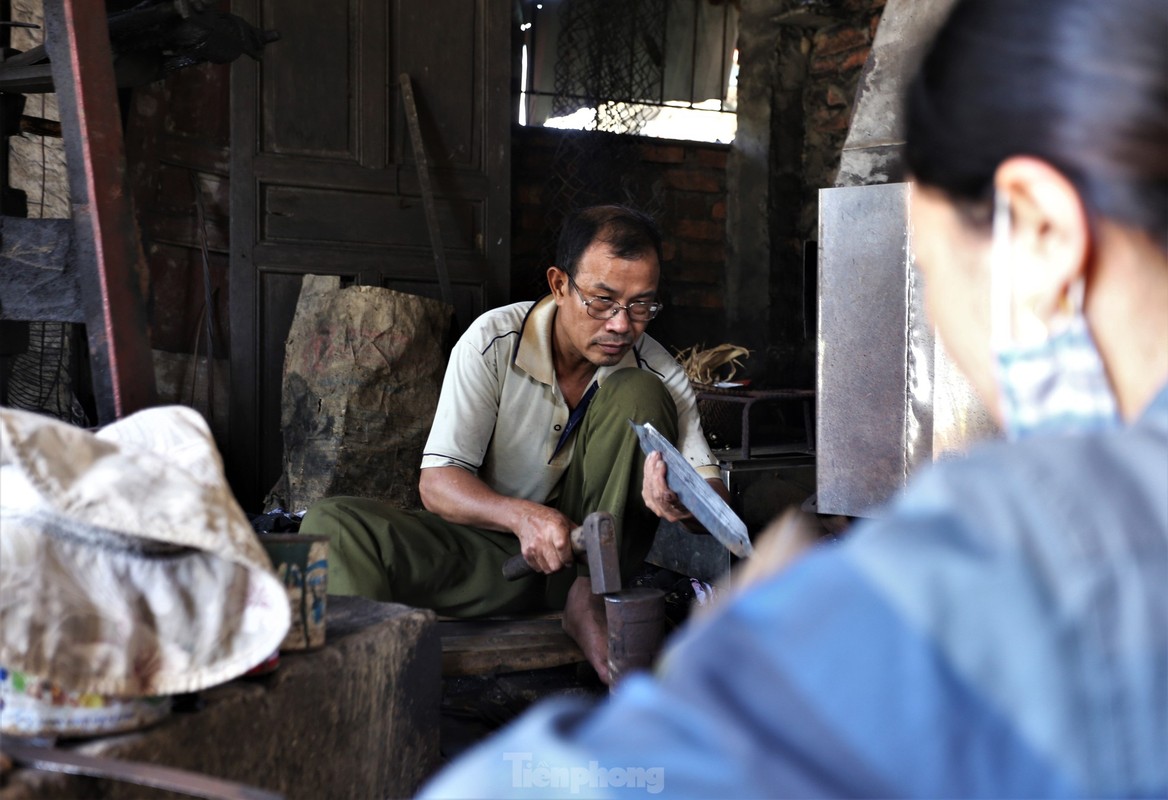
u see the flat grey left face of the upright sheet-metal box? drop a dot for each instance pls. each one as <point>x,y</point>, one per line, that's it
<point>863,360</point>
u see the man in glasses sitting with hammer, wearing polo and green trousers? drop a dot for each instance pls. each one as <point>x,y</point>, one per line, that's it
<point>531,436</point>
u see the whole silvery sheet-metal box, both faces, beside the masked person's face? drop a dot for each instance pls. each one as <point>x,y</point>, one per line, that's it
<point>888,396</point>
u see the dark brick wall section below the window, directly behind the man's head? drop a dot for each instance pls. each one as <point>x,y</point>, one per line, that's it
<point>682,184</point>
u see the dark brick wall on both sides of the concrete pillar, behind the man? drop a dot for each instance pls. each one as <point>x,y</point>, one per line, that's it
<point>684,186</point>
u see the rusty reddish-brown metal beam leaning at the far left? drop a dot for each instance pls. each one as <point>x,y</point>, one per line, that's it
<point>109,247</point>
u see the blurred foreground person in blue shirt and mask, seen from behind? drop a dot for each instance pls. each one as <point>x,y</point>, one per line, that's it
<point>1002,630</point>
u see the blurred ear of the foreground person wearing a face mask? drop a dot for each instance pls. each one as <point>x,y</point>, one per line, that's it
<point>1051,236</point>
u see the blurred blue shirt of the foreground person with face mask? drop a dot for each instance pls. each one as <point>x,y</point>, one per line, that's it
<point>1002,632</point>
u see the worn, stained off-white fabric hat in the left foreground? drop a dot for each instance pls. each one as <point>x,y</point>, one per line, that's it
<point>127,566</point>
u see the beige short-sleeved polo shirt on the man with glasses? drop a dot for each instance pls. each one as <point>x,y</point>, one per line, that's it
<point>502,415</point>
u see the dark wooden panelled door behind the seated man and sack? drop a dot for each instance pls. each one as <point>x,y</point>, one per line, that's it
<point>323,177</point>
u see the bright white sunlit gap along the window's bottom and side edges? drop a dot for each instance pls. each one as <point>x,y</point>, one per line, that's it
<point>711,121</point>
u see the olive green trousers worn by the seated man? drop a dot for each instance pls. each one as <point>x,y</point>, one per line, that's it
<point>418,559</point>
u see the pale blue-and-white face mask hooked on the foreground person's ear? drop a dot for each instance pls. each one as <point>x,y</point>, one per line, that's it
<point>1051,377</point>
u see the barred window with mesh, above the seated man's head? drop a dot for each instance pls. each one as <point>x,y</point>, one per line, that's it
<point>657,68</point>
